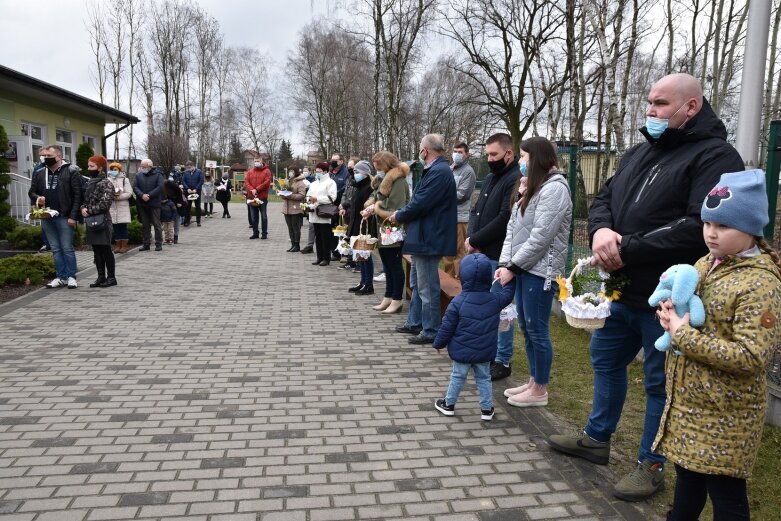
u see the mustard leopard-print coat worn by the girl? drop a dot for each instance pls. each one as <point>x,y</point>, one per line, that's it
<point>717,390</point>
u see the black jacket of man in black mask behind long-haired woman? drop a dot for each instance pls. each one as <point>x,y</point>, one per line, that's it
<point>490,214</point>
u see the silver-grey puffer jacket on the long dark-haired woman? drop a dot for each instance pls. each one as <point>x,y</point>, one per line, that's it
<point>537,241</point>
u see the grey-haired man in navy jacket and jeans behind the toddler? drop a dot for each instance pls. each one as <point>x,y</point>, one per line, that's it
<point>431,218</point>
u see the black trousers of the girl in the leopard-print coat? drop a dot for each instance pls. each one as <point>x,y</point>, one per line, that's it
<point>728,495</point>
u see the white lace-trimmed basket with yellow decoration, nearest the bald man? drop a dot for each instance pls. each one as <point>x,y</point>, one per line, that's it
<point>586,295</point>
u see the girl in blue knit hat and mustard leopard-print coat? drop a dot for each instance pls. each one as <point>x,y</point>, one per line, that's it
<point>717,387</point>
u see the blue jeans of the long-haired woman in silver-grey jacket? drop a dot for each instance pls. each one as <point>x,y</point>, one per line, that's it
<point>534,306</point>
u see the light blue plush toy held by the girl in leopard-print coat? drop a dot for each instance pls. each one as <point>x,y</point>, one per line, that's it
<point>678,283</point>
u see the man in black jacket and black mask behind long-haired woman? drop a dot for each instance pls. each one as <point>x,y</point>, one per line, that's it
<point>488,226</point>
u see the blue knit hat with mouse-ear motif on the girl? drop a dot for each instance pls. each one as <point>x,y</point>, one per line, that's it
<point>738,201</point>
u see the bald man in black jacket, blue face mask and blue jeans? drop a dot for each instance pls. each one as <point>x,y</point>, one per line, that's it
<point>645,219</point>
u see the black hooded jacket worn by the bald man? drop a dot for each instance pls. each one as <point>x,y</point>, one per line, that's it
<point>654,199</point>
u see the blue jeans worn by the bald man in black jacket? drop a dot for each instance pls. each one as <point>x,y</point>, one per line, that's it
<point>613,348</point>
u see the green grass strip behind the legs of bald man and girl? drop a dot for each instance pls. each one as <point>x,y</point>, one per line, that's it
<point>571,389</point>
